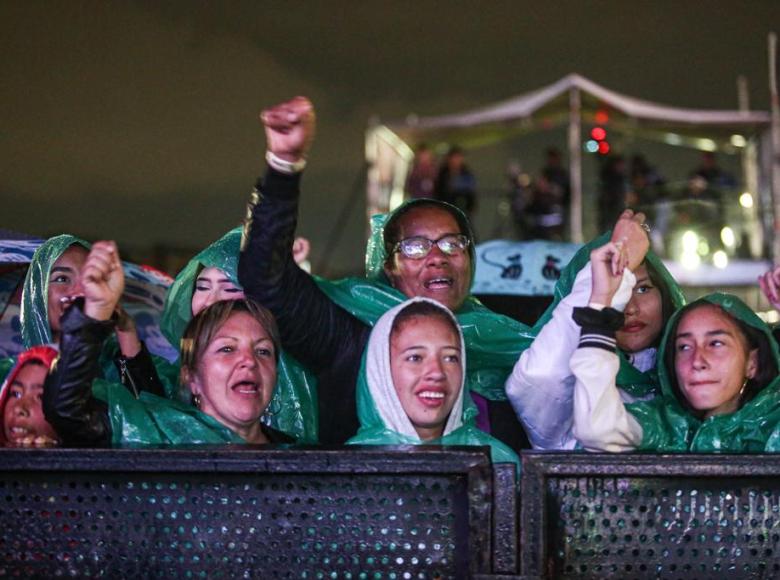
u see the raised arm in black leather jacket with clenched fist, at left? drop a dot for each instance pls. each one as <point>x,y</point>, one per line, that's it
<point>68,404</point>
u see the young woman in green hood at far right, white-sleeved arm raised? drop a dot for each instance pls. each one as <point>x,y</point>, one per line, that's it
<point>717,370</point>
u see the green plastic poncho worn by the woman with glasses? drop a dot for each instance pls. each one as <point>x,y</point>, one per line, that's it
<point>493,341</point>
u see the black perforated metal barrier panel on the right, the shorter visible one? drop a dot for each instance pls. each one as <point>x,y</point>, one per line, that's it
<point>650,516</point>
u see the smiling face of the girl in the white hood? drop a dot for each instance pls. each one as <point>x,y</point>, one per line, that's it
<point>425,363</point>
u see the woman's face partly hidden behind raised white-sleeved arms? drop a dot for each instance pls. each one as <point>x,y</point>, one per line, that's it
<point>644,315</point>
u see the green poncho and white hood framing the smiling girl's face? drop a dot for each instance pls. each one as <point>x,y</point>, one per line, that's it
<point>383,420</point>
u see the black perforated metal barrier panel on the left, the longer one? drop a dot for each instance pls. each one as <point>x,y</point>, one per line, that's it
<point>356,512</point>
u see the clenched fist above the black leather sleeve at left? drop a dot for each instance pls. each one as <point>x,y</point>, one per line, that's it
<point>103,281</point>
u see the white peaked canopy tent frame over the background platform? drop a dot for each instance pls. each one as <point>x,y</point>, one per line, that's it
<point>572,101</point>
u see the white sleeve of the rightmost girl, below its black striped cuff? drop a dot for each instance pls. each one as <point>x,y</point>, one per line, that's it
<point>601,421</point>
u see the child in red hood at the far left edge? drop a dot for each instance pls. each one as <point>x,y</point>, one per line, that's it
<point>22,423</point>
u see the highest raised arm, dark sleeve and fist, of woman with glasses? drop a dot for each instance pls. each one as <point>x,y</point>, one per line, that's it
<point>313,329</point>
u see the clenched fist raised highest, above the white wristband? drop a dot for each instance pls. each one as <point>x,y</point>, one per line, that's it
<point>289,128</point>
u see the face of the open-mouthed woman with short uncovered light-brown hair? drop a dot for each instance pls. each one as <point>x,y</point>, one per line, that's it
<point>236,375</point>
